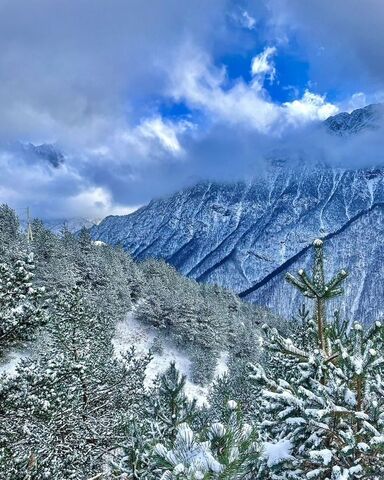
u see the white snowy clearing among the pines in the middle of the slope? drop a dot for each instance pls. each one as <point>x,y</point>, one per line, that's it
<point>130,332</point>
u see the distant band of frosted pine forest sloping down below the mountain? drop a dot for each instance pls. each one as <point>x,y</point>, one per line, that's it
<point>203,319</point>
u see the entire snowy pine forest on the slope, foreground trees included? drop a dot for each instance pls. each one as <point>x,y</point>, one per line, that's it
<point>305,406</point>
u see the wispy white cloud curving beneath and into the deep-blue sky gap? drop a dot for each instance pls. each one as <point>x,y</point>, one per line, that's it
<point>196,81</point>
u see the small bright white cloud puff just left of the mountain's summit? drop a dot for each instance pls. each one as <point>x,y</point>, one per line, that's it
<point>310,107</point>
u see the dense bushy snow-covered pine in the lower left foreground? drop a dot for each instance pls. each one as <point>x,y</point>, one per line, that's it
<point>69,406</point>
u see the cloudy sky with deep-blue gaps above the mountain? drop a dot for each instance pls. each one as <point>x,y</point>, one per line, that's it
<point>144,97</point>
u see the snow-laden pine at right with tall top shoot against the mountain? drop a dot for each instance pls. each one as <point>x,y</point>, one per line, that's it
<point>322,408</point>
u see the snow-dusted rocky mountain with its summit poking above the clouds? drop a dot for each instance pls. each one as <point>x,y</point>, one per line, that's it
<point>245,236</point>
